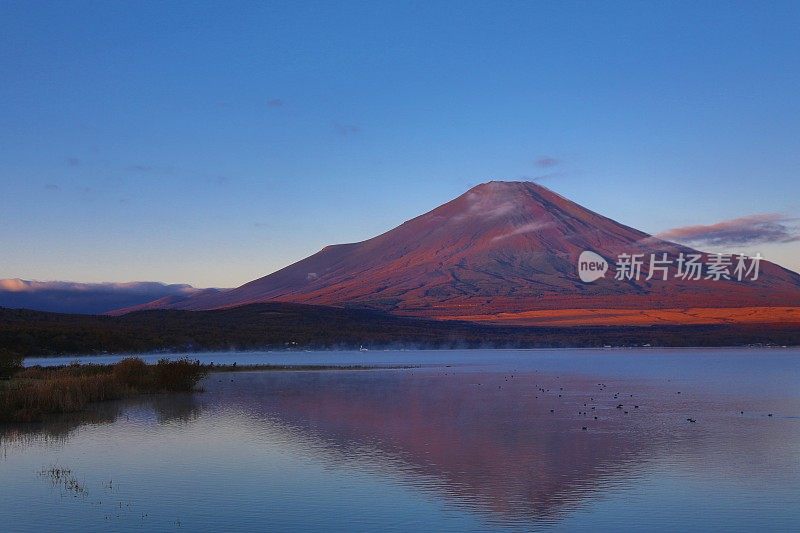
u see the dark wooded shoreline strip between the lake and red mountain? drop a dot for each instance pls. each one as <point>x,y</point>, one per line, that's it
<point>278,325</point>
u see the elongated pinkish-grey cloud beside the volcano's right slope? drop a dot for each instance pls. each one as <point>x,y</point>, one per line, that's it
<point>751,229</point>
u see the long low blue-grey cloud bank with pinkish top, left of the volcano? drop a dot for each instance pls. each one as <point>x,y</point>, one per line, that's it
<point>88,298</point>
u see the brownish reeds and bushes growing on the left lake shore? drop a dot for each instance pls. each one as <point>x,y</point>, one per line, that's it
<point>34,393</point>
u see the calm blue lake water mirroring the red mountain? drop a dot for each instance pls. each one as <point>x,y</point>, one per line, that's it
<point>478,440</point>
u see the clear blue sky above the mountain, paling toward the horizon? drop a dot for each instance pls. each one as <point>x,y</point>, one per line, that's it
<point>213,143</point>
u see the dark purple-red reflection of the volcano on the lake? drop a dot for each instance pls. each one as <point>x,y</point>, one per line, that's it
<point>515,447</point>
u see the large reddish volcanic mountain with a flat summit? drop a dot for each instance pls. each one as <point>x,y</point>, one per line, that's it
<point>501,251</point>
